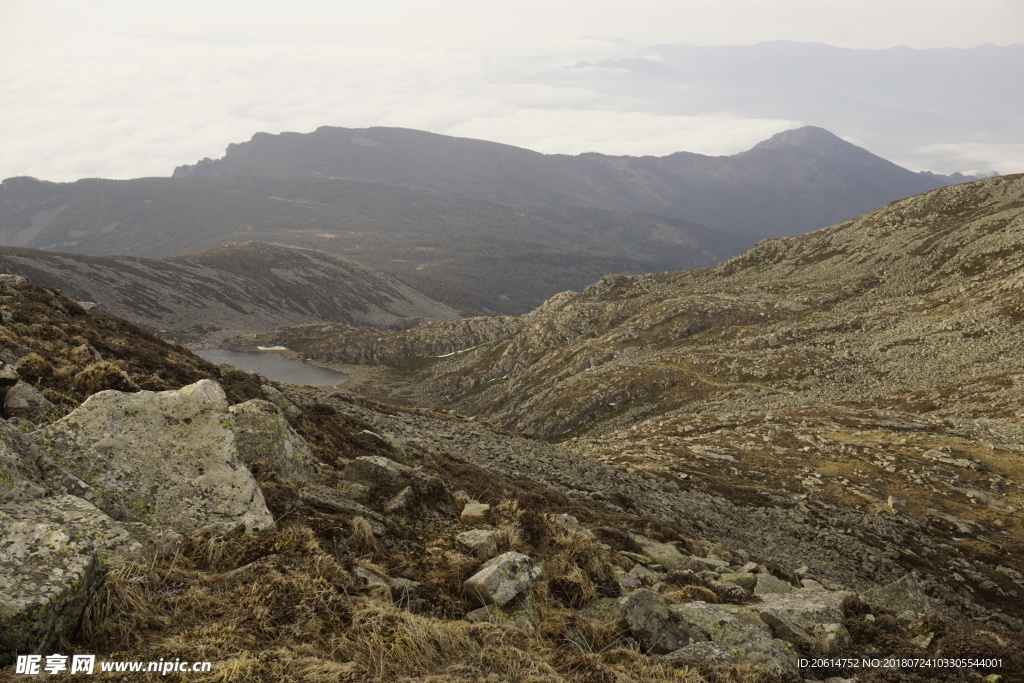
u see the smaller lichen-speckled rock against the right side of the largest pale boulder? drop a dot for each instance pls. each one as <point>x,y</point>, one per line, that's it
<point>263,434</point>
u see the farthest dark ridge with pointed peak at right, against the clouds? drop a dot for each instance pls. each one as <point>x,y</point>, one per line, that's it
<point>795,183</point>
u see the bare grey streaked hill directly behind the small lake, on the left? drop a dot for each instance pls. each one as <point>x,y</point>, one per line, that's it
<point>235,289</point>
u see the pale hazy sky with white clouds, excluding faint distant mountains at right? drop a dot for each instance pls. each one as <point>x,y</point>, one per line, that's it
<point>118,89</point>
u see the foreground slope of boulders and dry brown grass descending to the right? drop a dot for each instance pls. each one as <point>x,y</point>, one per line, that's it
<point>287,534</point>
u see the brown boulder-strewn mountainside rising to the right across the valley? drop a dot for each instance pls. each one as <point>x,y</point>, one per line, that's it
<point>862,380</point>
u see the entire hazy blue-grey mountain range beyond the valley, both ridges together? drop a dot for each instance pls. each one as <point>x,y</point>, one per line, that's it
<point>485,228</point>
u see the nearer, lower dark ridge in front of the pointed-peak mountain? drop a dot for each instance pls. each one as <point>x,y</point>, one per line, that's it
<point>493,258</point>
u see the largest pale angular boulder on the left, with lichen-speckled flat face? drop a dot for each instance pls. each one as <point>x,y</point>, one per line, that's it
<point>164,458</point>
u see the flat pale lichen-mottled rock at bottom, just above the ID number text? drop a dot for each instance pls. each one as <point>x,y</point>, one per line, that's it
<point>734,635</point>
